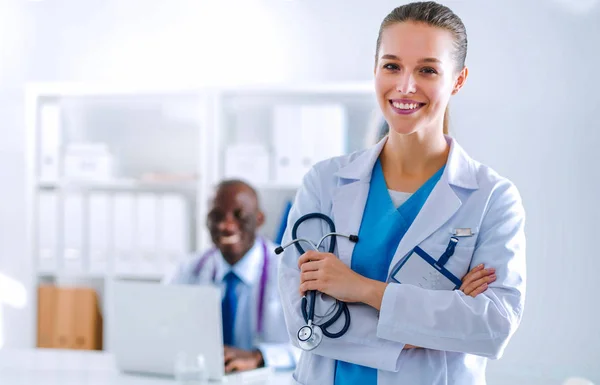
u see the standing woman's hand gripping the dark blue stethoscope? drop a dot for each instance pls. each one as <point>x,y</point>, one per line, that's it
<point>328,274</point>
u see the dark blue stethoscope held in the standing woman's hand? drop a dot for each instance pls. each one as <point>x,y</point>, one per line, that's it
<point>310,335</point>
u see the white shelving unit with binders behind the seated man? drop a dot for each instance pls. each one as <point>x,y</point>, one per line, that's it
<point>206,120</point>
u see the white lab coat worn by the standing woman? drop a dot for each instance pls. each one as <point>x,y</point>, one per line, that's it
<point>458,333</point>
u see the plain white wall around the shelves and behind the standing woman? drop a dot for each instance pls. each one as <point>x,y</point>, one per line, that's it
<point>528,110</point>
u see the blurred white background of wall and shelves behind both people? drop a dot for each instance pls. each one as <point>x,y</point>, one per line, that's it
<point>120,115</point>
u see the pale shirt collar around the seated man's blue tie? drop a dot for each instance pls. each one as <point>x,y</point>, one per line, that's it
<point>248,269</point>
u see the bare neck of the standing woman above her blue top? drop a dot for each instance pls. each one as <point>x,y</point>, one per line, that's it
<point>410,160</point>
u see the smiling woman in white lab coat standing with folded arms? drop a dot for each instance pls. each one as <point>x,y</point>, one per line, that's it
<point>412,195</point>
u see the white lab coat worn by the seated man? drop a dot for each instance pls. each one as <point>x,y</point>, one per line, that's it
<point>273,341</point>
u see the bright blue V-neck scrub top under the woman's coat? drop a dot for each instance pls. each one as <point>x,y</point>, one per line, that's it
<point>382,228</point>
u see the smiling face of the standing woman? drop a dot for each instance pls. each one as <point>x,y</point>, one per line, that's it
<point>415,75</point>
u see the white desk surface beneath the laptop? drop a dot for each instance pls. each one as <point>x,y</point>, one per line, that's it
<point>70,367</point>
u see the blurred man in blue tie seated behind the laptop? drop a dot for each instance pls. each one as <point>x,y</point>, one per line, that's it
<point>254,331</point>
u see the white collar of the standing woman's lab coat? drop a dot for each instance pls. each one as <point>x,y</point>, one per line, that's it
<point>460,168</point>
